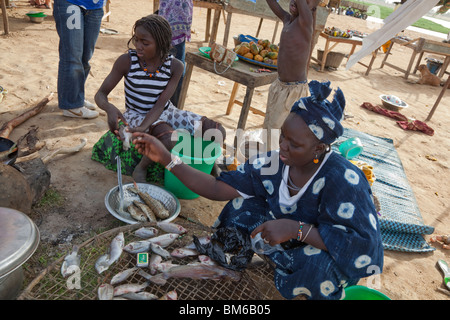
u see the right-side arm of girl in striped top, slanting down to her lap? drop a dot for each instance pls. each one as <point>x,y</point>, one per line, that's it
<point>154,114</point>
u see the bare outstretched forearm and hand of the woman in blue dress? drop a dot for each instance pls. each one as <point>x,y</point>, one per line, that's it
<point>199,182</point>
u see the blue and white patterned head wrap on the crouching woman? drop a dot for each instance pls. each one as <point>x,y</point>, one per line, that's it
<point>321,116</point>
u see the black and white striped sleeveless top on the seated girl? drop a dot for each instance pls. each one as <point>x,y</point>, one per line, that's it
<point>141,91</point>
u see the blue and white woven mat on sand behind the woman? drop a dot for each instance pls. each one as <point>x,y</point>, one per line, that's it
<point>401,223</point>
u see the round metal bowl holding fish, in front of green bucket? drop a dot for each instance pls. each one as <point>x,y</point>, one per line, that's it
<point>137,202</point>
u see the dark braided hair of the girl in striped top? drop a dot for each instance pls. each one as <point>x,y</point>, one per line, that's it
<point>159,28</point>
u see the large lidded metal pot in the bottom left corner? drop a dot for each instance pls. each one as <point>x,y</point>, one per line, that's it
<point>19,238</point>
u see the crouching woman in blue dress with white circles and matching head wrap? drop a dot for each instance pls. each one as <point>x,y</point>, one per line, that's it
<point>306,197</point>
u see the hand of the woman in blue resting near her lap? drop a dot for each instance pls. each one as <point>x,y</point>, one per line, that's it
<point>277,231</point>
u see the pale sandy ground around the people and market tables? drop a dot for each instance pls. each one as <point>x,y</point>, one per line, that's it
<point>28,69</point>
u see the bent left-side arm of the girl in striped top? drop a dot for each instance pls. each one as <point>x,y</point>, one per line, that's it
<point>119,69</point>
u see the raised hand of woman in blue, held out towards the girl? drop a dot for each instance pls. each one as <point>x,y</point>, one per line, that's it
<point>151,147</point>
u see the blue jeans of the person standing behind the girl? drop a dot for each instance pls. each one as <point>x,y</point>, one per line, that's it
<point>78,31</point>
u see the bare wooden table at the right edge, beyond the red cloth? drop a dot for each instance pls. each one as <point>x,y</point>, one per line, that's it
<point>419,46</point>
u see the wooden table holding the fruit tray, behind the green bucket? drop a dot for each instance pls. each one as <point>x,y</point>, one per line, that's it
<point>239,73</point>
